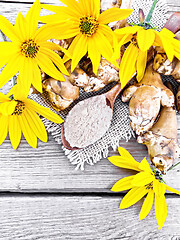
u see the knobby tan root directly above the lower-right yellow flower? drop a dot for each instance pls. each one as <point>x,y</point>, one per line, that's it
<point>161,140</point>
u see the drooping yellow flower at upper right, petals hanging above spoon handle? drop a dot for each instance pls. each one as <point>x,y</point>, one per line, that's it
<point>135,57</point>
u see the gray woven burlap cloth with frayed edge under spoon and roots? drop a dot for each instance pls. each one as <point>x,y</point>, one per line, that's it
<point>120,128</point>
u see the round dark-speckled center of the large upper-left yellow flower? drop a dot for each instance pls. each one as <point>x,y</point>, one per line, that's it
<point>29,48</point>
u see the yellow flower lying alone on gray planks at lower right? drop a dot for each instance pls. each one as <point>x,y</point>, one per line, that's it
<point>146,182</point>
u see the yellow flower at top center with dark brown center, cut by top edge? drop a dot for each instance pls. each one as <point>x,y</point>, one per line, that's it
<point>82,20</point>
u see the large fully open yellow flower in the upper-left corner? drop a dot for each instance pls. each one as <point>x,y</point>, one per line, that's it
<point>29,51</point>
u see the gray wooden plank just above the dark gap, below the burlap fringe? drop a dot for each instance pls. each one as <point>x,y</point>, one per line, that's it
<point>46,169</point>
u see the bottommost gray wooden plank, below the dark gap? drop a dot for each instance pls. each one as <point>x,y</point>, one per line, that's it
<point>82,218</point>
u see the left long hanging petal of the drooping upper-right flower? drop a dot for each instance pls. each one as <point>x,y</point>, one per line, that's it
<point>128,63</point>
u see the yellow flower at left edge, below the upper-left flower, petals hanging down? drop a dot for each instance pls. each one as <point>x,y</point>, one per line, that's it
<point>19,115</point>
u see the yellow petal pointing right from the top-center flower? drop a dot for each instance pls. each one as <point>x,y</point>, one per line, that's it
<point>114,14</point>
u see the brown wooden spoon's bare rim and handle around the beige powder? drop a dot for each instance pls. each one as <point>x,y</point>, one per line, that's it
<point>111,96</point>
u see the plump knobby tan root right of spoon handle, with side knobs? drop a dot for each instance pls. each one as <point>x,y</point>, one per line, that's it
<point>146,98</point>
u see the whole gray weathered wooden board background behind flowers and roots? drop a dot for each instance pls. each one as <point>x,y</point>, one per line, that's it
<point>42,196</point>
